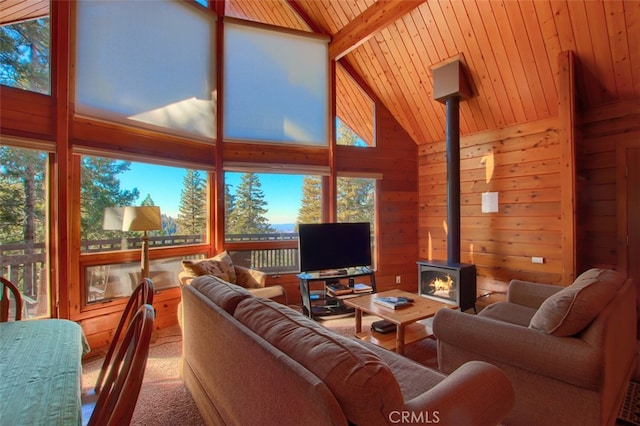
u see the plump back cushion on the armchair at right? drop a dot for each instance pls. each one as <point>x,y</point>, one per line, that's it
<point>572,309</point>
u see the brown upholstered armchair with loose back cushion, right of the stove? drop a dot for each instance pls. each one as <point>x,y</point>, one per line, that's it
<point>569,352</point>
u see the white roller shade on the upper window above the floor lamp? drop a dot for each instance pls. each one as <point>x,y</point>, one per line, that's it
<point>149,64</point>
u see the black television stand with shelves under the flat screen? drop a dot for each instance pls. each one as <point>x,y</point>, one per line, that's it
<point>318,302</point>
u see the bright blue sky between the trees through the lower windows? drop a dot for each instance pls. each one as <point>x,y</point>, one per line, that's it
<point>164,184</point>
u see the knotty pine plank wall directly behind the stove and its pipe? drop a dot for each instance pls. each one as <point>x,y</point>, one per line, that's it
<point>522,164</point>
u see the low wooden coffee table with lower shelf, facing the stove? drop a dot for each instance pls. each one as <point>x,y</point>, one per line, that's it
<point>405,319</point>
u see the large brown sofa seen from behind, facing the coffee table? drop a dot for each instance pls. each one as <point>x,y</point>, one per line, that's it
<point>252,361</point>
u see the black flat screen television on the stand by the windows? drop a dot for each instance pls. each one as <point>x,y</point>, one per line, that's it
<point>329,246</point>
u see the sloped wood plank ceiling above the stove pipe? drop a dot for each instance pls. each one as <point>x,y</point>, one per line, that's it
<point>510,49</point>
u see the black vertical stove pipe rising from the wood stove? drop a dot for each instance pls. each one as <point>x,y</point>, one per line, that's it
<point>453,178</point>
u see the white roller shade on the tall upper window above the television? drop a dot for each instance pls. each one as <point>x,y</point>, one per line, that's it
<point>276,86</point>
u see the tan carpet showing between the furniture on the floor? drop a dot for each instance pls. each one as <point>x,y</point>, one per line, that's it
<point>163,398</point>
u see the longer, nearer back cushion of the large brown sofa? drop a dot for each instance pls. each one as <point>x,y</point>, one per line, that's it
<point>361,382</point>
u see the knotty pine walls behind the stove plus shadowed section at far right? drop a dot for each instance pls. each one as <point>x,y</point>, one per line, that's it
<point>522,163</point>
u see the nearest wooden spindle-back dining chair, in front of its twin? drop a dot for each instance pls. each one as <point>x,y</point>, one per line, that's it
<point>117,400</point>
